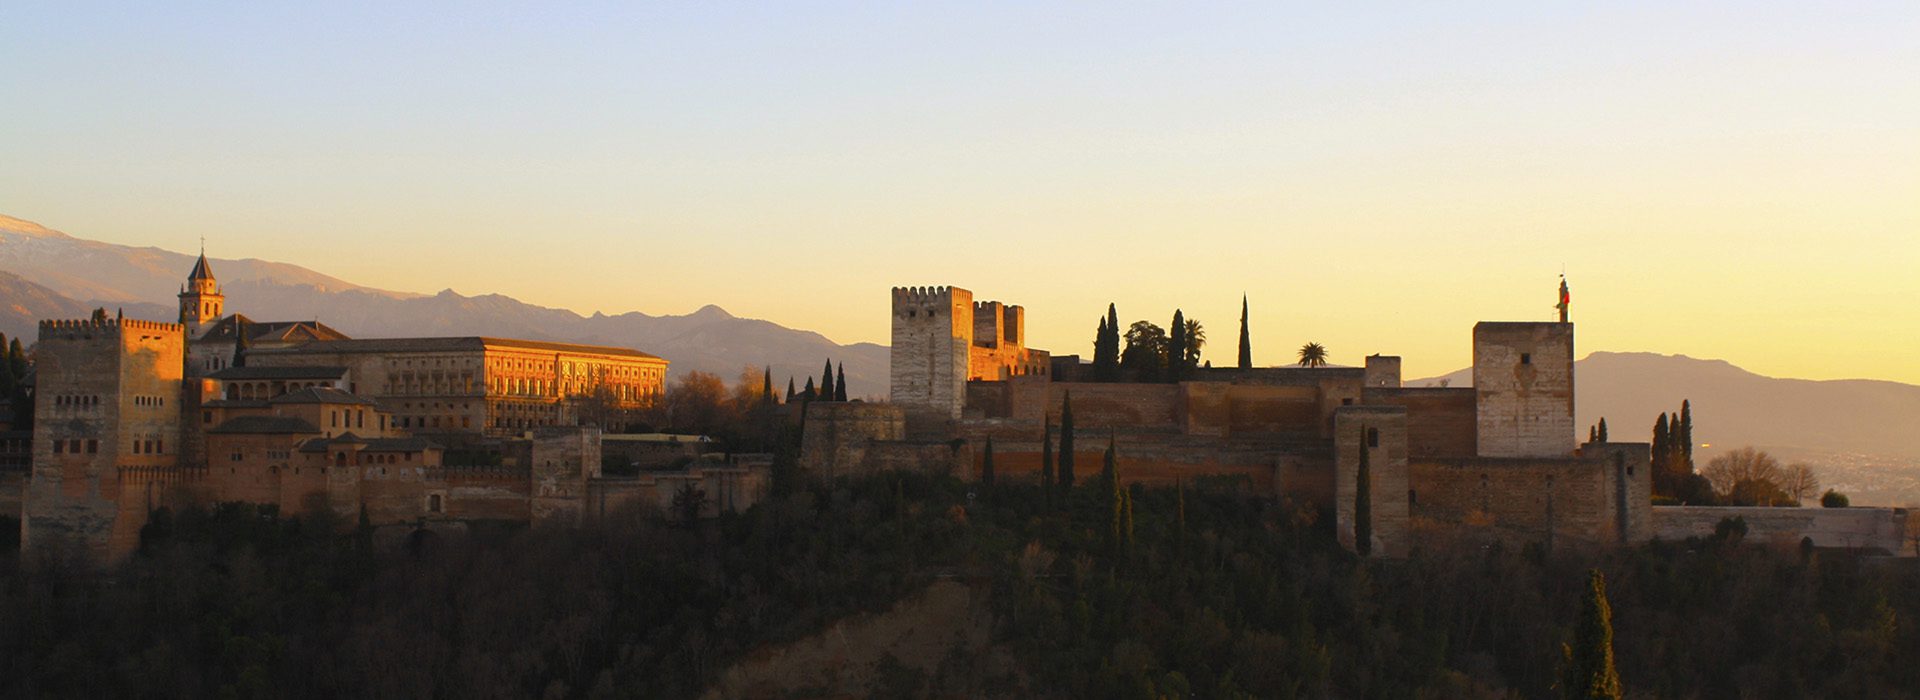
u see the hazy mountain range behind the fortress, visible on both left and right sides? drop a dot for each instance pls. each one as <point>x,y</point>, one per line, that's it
<point>1863,429</point>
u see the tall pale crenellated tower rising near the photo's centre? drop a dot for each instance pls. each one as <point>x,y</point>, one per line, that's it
<point>932,338</point>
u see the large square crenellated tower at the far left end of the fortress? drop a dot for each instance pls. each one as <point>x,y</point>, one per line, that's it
<point>108,429</point>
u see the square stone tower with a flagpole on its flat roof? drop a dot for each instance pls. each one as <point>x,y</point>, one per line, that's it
<point>1524,388</point>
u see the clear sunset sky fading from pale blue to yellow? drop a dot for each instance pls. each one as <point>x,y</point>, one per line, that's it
<point>1733,181</point>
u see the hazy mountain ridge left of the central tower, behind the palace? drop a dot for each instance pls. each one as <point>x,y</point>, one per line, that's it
<point>143,281</point>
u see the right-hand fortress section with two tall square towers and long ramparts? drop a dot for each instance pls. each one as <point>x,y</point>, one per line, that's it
<point>1497,459</point>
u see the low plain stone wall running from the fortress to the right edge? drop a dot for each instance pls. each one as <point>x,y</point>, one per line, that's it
<point>1888,530</point>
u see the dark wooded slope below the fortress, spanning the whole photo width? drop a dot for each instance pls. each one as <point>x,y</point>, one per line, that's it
<point>1120,594</point>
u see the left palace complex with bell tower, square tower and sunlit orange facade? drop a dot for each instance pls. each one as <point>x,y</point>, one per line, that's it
<point>135,415</point>
